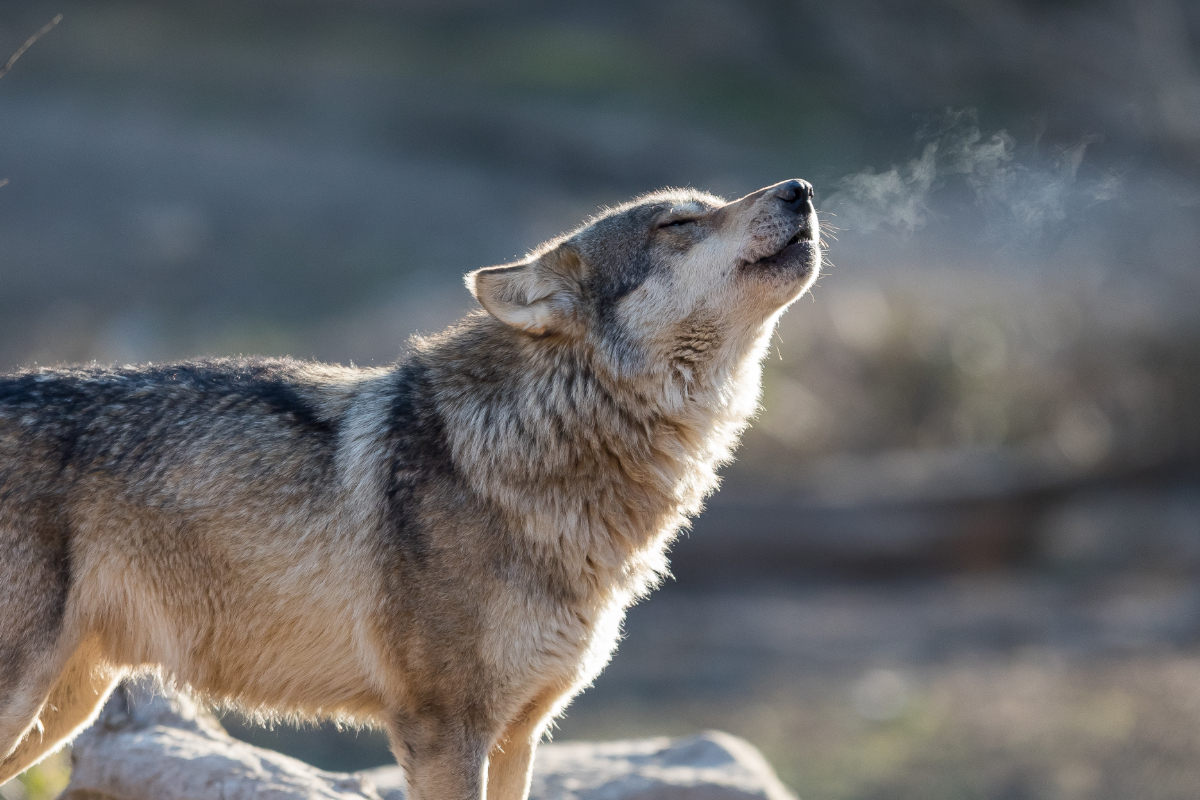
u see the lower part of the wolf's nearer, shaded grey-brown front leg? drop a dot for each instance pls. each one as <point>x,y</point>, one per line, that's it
<point>443,760</point>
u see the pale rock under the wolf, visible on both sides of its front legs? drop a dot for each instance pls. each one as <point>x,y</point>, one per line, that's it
<point>155,747</point>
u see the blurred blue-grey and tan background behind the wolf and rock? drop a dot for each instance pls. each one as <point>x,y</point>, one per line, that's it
<point>959,555</point>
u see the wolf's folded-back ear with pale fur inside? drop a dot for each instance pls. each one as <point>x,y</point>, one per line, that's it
<point>538,297</point>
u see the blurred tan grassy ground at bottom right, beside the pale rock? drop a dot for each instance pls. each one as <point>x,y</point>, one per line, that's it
<point>1034,727</point>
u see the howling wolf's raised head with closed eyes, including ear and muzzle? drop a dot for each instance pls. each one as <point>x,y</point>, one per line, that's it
<point>671,279</point>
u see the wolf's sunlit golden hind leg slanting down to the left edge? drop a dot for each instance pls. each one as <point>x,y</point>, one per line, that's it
<point>71,706</point>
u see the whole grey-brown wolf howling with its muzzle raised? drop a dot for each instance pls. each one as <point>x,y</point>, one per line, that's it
<point>445,548</point>
